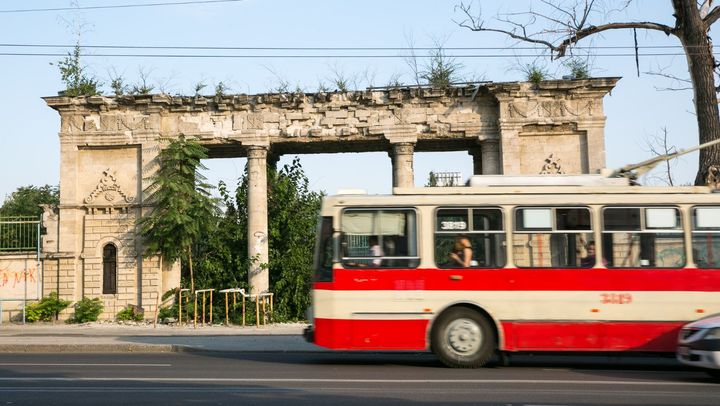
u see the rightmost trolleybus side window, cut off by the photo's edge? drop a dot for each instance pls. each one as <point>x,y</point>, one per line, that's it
<point>706,236</point>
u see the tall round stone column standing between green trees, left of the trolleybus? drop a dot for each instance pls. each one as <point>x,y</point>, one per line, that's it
<point>258,278</point>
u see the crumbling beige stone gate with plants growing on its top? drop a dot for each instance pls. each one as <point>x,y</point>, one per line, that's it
<point>109,145</point>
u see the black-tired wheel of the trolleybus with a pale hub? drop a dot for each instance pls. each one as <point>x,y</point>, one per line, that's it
<point>463,338</point>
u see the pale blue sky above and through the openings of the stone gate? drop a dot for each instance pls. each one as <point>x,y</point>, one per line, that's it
<point>637,109</point>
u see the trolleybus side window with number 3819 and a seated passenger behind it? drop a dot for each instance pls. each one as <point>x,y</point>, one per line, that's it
<point>469,237</point>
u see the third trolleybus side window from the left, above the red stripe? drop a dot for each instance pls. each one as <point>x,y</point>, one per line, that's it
<point>553,237</point>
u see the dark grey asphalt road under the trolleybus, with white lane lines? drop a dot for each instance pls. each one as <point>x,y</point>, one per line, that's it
<point>344,379</point>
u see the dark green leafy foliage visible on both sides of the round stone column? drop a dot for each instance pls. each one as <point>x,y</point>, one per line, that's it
<point>292,220</point>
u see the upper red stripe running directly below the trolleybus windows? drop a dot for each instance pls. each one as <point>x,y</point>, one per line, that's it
<point>526,279</point>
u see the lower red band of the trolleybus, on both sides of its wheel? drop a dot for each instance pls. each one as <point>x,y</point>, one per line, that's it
<point>399,334</point>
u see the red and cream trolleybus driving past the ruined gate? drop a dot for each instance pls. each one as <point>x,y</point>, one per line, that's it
<point>586,264</point>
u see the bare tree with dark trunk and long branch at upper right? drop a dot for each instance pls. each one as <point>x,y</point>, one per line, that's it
<point>568,25</point>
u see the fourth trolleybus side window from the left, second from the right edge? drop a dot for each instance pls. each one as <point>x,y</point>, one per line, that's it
<point>635,237</point>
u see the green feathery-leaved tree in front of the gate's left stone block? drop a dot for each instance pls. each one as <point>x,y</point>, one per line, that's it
<point>182,208</point>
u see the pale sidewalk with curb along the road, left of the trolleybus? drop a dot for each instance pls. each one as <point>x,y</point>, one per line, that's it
<point>112,337</point>
